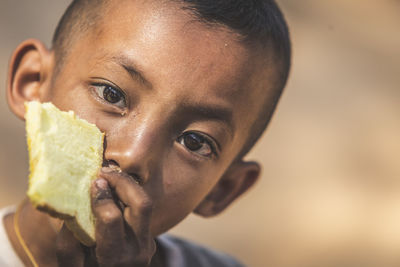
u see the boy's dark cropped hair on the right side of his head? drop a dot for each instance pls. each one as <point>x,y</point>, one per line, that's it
<point>260,22</point>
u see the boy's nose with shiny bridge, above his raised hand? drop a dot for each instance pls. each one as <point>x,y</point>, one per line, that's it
<point>136,147</point>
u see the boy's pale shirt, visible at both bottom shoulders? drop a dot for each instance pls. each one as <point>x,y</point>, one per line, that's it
<point>178,252</point>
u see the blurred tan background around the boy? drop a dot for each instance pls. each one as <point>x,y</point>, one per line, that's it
<point>330,189</point>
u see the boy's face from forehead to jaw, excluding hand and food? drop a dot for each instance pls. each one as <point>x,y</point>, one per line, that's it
<point>175,98</point>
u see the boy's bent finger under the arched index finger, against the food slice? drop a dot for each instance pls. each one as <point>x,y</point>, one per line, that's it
<point>110,233</point>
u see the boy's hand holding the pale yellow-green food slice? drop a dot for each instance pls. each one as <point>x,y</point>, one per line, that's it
<point>122,237</point>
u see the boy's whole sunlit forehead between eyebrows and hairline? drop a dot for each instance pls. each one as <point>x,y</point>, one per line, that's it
<point>178,54</point>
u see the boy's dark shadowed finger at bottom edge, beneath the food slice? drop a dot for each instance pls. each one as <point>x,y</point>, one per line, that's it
<point>69,251</point>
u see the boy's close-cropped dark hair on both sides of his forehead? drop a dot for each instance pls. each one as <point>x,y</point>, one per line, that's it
<point>256,21</point>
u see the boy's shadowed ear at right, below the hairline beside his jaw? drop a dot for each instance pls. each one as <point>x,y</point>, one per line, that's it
<point>239,177</point>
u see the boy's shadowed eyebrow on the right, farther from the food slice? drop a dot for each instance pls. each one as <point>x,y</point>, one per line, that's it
<point>213,112</point>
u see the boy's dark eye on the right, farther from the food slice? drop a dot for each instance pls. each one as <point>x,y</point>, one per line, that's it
<point>197,143</point>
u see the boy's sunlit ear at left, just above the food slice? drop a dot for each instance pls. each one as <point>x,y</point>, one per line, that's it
<point>29,70</point>
